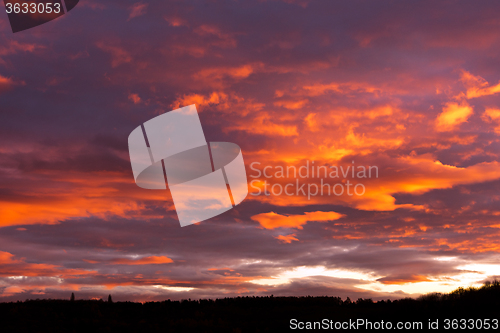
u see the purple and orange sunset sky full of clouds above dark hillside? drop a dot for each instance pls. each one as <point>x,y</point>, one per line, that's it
<point>411,89</point>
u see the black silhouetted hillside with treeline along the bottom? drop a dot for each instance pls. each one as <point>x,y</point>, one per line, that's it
<point>245,314</point>
